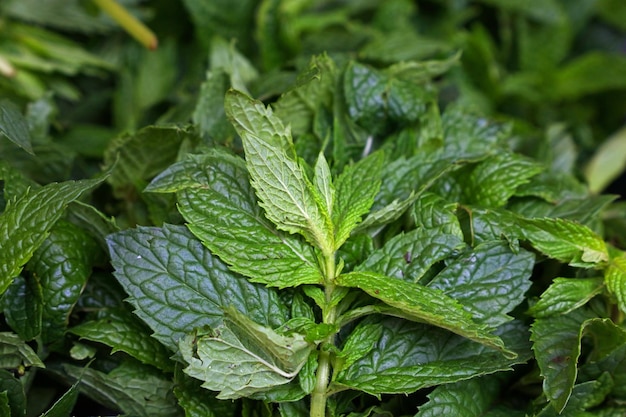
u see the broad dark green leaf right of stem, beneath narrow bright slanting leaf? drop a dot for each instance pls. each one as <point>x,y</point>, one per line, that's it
<point>409,356</point>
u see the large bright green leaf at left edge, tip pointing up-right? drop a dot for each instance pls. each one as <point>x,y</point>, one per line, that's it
<point>25,223</point>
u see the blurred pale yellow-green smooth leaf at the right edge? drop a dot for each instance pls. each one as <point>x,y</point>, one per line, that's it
<point>608,162</point>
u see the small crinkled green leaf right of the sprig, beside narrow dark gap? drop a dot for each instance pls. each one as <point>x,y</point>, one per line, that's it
<point>432,211</point>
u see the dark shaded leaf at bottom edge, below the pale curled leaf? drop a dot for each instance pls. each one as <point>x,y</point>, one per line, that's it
<point>196,401</point>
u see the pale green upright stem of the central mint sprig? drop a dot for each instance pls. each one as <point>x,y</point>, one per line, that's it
<point>324,365</point>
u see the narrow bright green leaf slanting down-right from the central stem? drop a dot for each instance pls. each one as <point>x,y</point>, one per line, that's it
<point>423,304</point>
